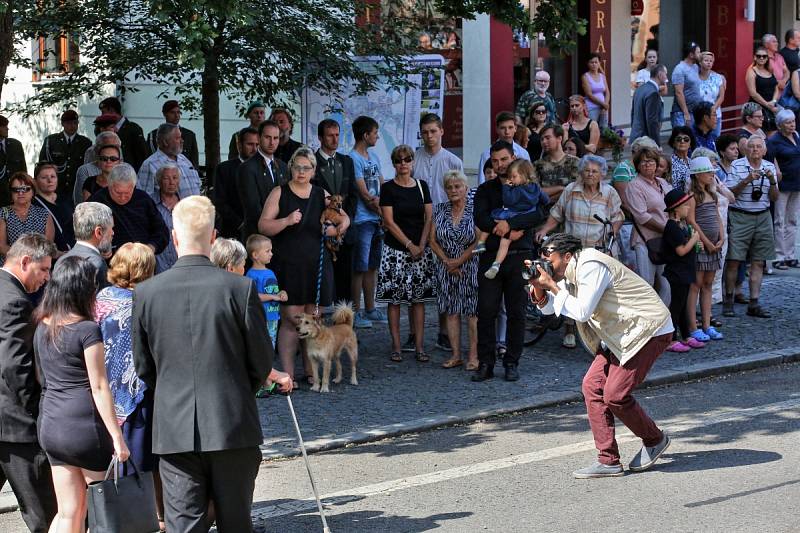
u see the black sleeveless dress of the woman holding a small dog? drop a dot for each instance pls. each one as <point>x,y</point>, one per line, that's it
<point>297,249</point>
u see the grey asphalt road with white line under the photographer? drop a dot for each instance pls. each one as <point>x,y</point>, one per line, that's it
<point>732,467</point>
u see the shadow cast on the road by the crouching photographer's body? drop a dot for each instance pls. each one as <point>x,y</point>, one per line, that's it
<point>713,460</point>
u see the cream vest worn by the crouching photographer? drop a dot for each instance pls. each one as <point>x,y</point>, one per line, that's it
<point>628,314</point>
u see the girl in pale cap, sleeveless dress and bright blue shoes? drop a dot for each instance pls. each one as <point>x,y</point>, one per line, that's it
<point>704,218</point>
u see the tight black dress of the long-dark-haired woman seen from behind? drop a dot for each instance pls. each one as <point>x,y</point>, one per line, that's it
<point>71,431</point>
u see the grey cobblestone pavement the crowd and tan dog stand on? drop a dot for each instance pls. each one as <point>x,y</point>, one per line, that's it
<point>393,393</point>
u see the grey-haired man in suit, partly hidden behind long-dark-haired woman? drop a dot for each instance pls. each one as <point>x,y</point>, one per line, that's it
<point>94,228</point>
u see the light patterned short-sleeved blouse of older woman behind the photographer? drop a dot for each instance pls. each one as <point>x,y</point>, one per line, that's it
<point>576,210</point>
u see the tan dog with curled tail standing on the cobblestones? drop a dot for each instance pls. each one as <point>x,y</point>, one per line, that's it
<point>325,344</point>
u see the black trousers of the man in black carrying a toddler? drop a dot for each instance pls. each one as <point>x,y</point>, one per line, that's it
<point>507,284</point>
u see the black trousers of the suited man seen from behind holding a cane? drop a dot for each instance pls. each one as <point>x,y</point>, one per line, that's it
<point>191,479</point>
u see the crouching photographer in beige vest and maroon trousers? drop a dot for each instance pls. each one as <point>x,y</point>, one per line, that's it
<point>621,319</point>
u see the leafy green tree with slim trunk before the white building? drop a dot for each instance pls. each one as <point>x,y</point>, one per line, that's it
<point>246,50</point>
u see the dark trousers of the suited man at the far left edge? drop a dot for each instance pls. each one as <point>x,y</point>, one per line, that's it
<point>27,470</point>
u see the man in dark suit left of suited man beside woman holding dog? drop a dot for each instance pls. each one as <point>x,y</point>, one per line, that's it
<point>226,194</point>
